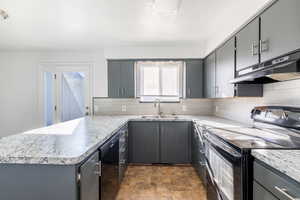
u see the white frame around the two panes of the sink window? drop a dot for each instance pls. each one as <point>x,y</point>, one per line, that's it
<point>166,98</point>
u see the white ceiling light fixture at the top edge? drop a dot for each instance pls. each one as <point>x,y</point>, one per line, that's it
<point>169,7</point>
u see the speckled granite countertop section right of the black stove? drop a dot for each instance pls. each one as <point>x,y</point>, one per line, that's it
<point>285,161</point>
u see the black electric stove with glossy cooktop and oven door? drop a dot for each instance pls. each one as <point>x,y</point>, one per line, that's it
<point>229,162</point>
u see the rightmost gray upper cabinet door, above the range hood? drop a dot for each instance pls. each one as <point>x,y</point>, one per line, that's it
<point>280,29</point>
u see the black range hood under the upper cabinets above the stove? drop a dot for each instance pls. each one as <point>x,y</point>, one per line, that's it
<point>279,69</point>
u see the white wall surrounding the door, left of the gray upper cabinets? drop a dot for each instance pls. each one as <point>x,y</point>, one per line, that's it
<point>19,85</point>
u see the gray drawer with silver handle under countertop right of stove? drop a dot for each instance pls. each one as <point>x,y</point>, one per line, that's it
<point>281,186</point>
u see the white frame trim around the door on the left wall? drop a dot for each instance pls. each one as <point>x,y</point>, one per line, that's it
<point>59,66</point>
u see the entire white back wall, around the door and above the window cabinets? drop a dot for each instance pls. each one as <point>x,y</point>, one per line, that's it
<point>19,78</point>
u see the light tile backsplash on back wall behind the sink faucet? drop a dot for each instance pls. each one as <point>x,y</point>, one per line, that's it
<point>108,106</point>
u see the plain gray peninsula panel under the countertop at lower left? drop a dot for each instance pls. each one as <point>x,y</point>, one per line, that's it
<point>38,182</point>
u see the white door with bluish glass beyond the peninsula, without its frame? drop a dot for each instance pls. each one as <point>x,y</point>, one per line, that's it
<point>66,93</point>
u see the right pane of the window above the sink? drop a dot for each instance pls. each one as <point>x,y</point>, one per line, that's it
<point>170,80</point>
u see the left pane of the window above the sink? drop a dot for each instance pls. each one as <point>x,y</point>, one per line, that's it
<point>151,80</point>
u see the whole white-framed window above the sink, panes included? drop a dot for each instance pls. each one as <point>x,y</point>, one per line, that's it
<point>161,80</point>
